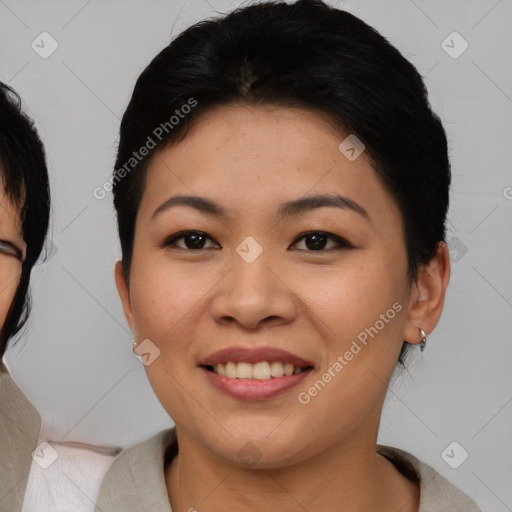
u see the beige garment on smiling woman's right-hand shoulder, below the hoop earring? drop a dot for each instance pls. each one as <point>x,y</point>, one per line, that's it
<point>437,494</point>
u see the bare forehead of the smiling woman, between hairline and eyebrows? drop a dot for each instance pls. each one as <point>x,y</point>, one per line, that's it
<point>252,156</point>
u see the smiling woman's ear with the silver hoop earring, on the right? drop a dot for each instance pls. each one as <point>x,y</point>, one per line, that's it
<point>427,295</point>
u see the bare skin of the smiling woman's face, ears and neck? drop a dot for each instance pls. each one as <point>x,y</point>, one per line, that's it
<point>192,302</point>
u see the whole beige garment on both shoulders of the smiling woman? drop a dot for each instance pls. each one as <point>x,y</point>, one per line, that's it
<point>136,482</point>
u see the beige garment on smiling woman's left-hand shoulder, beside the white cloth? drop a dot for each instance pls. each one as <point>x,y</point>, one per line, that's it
<point>136,479</point>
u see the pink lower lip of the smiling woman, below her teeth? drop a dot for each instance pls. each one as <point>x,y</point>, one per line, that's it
<point>254,389</point>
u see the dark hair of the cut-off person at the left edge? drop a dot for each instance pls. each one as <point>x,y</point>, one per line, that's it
<point>25,183</point>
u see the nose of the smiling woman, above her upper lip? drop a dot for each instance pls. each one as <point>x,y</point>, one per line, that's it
<point>252,295</point>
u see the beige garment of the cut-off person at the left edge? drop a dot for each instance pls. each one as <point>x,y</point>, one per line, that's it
<point>19,430</point>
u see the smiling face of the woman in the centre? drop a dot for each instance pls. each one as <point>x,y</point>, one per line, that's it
<point>261,266</point>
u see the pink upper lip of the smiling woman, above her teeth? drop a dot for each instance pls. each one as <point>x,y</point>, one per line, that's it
<point>253,355</point>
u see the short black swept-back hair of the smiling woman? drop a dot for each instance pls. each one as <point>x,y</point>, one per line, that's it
<point>304,55</point>
